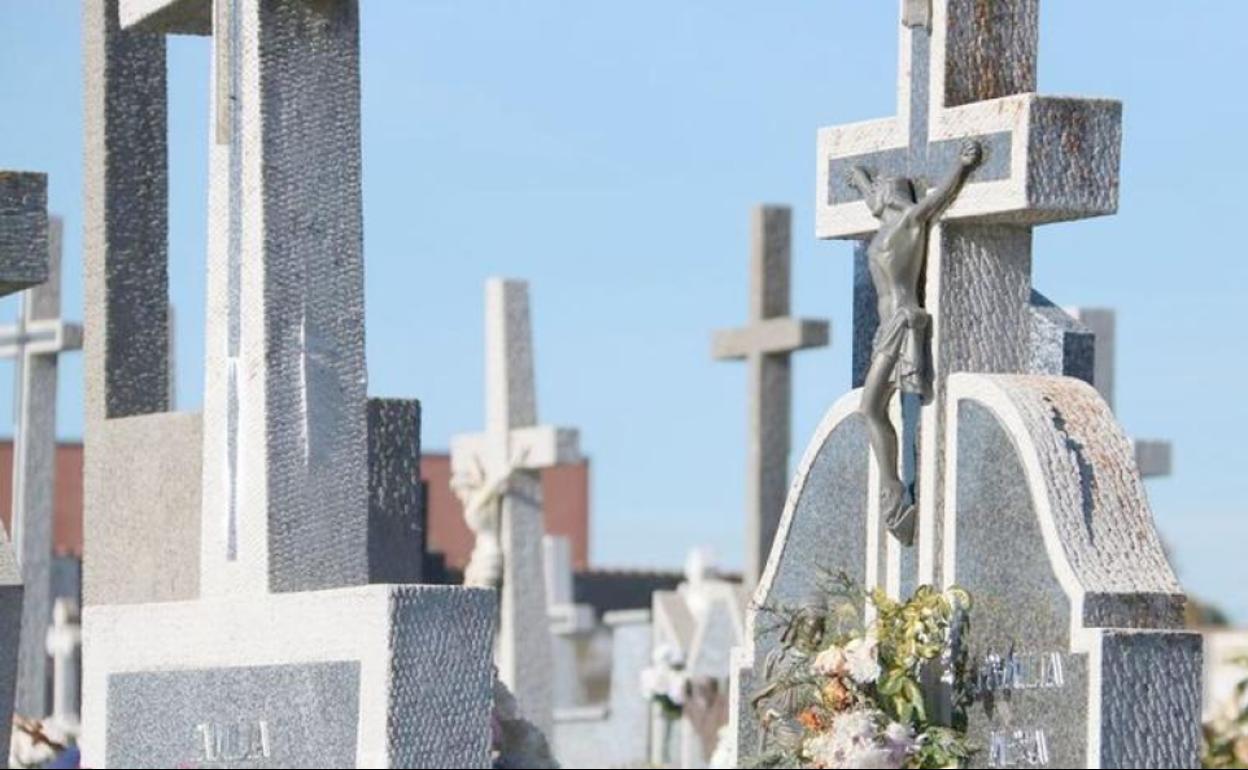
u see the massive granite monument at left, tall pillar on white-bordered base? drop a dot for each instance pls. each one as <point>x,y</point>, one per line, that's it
<point>290,652</point>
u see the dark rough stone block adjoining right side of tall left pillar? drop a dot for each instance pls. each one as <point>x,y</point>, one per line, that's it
<point>396,520</point>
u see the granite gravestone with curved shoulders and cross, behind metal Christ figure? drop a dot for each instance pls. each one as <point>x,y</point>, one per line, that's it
<point>1029,494</point>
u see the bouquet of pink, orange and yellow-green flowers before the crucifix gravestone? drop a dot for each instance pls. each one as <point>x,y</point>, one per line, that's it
<point>841,692</point>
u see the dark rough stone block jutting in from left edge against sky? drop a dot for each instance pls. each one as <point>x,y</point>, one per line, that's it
<point>23,230</point>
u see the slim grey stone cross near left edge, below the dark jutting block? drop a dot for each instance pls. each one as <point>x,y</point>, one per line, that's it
<point>34,344</point>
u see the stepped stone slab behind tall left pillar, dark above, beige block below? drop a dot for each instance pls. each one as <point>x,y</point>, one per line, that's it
<point>144,537</point>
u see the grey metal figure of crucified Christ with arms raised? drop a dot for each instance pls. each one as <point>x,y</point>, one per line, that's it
<point>899,355</point>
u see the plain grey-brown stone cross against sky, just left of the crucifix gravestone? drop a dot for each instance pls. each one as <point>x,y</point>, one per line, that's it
<point>768,345</point>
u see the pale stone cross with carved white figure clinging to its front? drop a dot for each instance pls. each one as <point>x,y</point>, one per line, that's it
<point>496,474</point>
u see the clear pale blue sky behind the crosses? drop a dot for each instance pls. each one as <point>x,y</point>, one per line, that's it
<point>610,153</point>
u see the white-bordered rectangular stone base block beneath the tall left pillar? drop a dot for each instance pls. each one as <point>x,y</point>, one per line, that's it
<point>424,656</point>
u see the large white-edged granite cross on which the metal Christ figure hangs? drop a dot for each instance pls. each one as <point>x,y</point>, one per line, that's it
<point>969,76</point>
